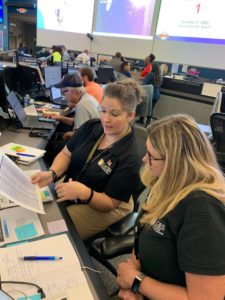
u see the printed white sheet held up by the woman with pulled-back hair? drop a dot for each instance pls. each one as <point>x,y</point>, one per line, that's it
<point>17,187</point>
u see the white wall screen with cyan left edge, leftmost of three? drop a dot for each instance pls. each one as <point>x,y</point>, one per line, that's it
<point>66,15</point>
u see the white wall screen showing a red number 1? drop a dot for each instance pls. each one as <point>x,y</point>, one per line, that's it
<point>196,21</point>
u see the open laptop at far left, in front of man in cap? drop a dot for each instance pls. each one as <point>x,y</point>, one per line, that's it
<point>26,121</point>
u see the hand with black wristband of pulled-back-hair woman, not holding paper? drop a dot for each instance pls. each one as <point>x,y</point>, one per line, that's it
<point>72,190</point>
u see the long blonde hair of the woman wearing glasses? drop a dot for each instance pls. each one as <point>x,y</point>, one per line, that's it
<point>190,164</point>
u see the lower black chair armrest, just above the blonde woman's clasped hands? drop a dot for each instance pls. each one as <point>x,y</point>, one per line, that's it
<point>115,246</point>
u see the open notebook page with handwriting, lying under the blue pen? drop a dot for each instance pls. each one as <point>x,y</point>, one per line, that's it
<point>54,277</point>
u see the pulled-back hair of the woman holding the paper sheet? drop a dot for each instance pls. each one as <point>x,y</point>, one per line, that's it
<point>128,92</point>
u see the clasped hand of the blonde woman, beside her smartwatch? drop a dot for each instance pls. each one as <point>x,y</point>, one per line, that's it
<point>126,273</point>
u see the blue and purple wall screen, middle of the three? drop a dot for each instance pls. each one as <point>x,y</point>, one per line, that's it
<point>126,18</point>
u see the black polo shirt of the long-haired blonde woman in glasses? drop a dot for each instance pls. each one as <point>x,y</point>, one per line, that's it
<point>190,238</point>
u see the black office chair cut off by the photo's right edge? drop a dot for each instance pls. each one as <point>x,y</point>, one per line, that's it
<point>217,123</point>
